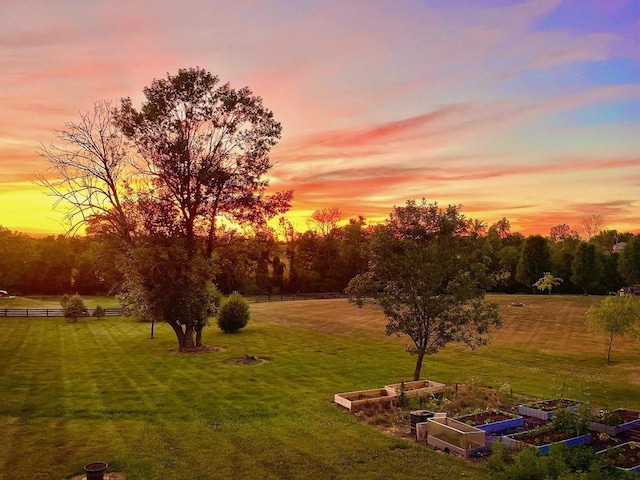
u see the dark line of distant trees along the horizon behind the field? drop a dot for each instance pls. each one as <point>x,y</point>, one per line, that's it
<point>323,258</point>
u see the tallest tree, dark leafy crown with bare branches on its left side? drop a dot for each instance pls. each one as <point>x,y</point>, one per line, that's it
<point>199,153</point>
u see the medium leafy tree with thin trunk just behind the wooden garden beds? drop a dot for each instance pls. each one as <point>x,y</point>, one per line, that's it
<point>429,277</point>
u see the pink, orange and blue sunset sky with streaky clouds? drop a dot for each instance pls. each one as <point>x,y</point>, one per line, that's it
<point>528,110</point>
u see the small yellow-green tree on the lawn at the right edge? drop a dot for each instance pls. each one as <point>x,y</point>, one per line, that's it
<point>616,316</point>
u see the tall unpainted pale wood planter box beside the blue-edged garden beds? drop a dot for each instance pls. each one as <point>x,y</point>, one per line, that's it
<point>453,436</point>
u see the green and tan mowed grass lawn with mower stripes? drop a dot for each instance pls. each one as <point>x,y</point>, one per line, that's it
<point>102,390</point>
